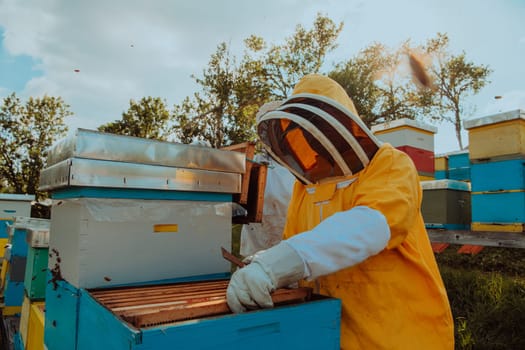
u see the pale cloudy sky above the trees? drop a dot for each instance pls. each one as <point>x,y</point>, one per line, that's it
<point>99,54</point>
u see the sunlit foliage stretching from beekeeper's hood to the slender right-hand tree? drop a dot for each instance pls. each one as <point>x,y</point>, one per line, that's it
<point>378,82</point>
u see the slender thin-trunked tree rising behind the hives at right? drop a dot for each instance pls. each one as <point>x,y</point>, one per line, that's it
<point>455,78</point>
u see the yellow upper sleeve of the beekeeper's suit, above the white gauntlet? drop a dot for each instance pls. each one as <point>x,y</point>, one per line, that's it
<point>390,184</point>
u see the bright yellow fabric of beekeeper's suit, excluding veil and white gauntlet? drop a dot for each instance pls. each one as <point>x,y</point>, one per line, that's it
<point>395,299</point>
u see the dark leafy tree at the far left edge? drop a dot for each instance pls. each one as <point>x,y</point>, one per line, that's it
<point>26,132</point>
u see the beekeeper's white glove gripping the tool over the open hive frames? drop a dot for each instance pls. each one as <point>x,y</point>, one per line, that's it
<point>251,286</point>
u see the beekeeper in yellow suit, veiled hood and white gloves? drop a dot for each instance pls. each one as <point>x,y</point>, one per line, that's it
<point>354,229</point>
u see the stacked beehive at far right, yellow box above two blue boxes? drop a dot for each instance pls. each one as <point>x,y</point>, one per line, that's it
<point>497,154</point>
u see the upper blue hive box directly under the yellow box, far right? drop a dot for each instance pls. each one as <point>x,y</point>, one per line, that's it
<point>498,176</point>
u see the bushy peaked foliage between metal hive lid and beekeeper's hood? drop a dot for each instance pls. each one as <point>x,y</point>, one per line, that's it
<point>222,113</point>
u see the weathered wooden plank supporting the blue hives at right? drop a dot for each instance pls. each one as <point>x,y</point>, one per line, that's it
<point>482,238</point>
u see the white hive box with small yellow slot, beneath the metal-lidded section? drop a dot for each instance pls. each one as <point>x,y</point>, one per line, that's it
<point>101,242</point>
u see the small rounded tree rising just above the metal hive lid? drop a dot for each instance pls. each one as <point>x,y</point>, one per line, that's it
<point>146,118</point>
